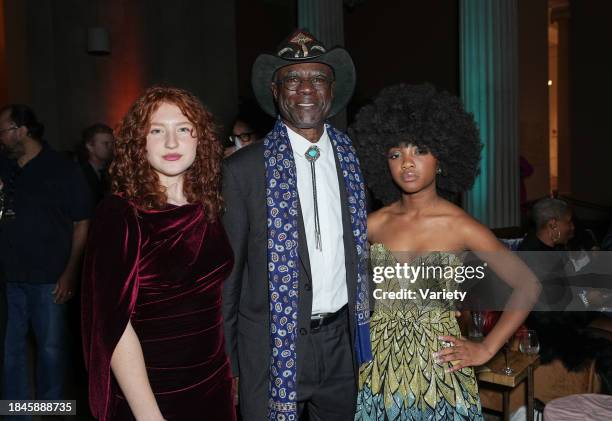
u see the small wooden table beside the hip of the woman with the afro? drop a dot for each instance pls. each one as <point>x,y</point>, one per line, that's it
<point>523,366</point>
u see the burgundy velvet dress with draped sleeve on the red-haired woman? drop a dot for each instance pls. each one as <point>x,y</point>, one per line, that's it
<point>163,271</point>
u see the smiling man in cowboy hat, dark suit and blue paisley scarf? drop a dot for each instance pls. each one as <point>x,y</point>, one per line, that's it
<point>295,305</point>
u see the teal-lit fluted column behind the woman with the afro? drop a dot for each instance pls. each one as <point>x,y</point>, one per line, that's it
<point>489,87</point>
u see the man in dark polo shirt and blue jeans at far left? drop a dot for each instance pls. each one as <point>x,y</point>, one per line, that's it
<point>42,234</point>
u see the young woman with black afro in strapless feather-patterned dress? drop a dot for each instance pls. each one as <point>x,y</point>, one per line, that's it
<point>418,148</point>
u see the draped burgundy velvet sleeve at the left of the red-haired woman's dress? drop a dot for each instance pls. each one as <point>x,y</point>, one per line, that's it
<point>110,289</point>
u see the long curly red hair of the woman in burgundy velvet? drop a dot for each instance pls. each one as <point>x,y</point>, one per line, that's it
<point>133,177</point>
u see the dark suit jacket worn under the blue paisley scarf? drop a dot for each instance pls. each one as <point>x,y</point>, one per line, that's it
<point>246,307</point>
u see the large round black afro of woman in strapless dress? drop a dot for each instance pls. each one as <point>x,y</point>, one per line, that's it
<point>425,117</point>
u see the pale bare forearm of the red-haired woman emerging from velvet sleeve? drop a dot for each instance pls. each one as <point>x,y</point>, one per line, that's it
<point>129,369</point>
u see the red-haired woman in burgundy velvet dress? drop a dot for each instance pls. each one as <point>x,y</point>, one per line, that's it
<point>156,260</point>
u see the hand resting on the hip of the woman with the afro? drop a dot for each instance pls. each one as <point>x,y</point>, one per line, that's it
<point>463,353</point>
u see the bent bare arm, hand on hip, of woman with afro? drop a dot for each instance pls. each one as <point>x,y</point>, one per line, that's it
<point>515,273</point>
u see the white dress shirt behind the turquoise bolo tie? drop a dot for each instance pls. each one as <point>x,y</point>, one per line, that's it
<point>327,266</point>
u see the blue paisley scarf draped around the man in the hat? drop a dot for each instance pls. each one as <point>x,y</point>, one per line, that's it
<point>283,269</point>
